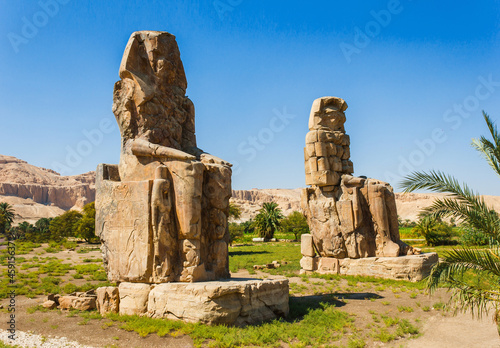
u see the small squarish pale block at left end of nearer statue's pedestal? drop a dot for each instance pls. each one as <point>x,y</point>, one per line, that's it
<point>133,298</point>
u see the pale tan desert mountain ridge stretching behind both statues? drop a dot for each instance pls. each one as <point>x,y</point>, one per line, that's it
<point>38,192</point>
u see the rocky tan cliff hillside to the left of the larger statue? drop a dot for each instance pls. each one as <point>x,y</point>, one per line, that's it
<point>38,192</point>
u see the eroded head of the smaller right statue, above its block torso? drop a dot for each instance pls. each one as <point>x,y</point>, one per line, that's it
<point>327,113</point>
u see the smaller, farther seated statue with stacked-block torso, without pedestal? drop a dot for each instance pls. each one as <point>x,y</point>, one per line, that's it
<point>349,217</point>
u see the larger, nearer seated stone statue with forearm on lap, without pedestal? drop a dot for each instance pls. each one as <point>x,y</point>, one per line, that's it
<point>162,212</point>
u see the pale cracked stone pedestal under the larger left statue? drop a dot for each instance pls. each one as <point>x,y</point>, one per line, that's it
<point>228,302</point>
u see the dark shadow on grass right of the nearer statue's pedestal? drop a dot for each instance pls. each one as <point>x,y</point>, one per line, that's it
<point>301,305</point>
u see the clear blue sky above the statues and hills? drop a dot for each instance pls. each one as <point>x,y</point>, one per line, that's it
<point>419,76</point>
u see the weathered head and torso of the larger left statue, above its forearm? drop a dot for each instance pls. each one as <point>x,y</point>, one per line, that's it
<point>150,99</point>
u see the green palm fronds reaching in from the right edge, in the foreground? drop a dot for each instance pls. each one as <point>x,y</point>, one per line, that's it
<point>473,275</point>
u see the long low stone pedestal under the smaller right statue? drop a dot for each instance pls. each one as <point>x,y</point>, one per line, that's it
<point>411,267</point>
